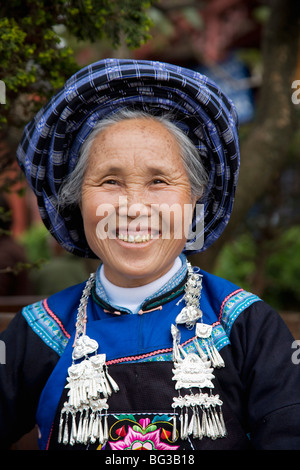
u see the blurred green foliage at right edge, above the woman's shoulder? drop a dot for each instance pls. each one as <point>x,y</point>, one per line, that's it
<point>277,263</point>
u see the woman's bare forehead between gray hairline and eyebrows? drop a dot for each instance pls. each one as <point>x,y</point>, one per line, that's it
<point>142,146</point>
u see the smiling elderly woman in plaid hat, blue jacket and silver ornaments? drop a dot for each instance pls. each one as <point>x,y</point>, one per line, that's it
<point>135,164</point>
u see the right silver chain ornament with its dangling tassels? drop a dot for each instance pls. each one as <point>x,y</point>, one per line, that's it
<point>200,412</point>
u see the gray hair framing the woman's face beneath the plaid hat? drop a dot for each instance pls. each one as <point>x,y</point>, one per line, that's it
<point>70,191</point>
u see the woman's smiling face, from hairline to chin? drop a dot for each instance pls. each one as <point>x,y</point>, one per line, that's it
<point>134,194</point>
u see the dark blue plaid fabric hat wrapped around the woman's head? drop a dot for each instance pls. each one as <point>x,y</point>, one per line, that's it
<point>51,142</point>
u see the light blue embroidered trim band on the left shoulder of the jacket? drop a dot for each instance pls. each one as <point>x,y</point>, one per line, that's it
<point>46,325</point>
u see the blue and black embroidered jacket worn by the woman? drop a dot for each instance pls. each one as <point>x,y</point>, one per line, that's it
<point>259,386</point>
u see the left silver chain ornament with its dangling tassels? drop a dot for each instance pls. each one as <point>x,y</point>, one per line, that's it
<point>83,417</point>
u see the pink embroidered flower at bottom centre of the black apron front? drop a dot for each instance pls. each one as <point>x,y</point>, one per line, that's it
<point>138,441</point>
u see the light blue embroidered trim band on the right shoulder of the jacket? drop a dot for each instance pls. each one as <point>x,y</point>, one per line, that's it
<point>233,305</point>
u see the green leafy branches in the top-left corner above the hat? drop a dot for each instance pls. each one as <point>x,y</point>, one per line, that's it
<point>33,59</point>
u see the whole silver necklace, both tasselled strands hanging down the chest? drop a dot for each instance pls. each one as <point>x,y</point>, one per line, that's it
<point>90,385</point>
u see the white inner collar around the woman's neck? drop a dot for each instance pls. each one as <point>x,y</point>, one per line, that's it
<point>132,297</point>
